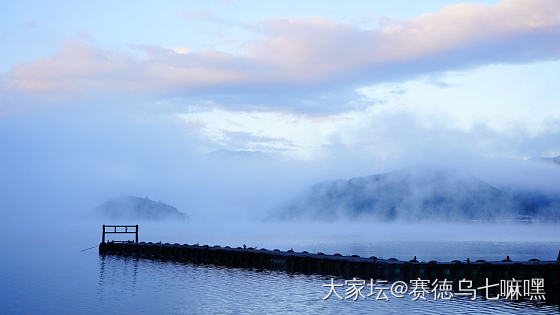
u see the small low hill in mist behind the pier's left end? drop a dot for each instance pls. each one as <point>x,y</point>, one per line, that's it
<point>136,208</point>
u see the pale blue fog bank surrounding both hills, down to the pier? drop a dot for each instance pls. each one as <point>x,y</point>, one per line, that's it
<point>57,166</point>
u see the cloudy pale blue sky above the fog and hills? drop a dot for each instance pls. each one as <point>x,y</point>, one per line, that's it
<point>145,94</point>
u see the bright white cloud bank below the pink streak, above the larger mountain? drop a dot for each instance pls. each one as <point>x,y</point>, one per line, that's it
<point>410,118</point>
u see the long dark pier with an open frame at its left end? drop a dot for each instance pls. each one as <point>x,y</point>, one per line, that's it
<point>338,265</point>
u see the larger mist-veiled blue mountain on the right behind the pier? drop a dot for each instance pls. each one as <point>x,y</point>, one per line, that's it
<point>411,195</point>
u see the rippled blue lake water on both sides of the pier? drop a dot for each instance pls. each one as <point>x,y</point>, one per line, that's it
<point>58,278</point>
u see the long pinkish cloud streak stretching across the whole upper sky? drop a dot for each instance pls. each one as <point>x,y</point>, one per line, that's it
<point>305,55</point>
